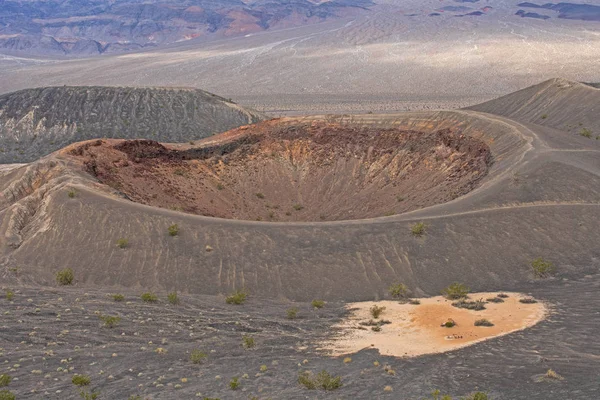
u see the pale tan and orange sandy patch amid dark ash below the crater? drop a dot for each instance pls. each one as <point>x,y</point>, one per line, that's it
<point>416,329</point>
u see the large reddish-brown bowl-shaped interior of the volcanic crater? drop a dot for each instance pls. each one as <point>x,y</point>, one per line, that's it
<point>293,171</point>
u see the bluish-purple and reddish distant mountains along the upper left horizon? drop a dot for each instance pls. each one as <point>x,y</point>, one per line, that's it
<point>90,27</point>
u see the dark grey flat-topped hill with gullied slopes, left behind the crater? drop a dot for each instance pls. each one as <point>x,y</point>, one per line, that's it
<point>36,122</point>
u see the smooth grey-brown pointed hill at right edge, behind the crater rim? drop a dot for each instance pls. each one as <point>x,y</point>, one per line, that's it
<point>557,103</point>
